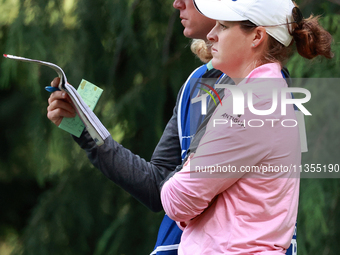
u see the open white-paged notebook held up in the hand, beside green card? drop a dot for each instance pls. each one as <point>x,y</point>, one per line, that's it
<point>93,125</point>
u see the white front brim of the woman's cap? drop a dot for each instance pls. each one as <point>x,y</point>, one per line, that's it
<point>217,10</point>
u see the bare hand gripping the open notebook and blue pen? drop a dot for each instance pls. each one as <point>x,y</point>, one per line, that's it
<point>59,105</point>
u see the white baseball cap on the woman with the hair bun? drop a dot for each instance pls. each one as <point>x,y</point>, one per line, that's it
<point>271,14</point>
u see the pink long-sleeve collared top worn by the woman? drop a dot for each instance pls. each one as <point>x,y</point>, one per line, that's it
<point>240,211</point>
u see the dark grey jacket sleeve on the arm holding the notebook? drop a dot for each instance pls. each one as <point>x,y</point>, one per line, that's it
<point>134,174</point>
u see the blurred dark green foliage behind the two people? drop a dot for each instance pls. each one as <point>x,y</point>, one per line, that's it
<point>52,200</point>
